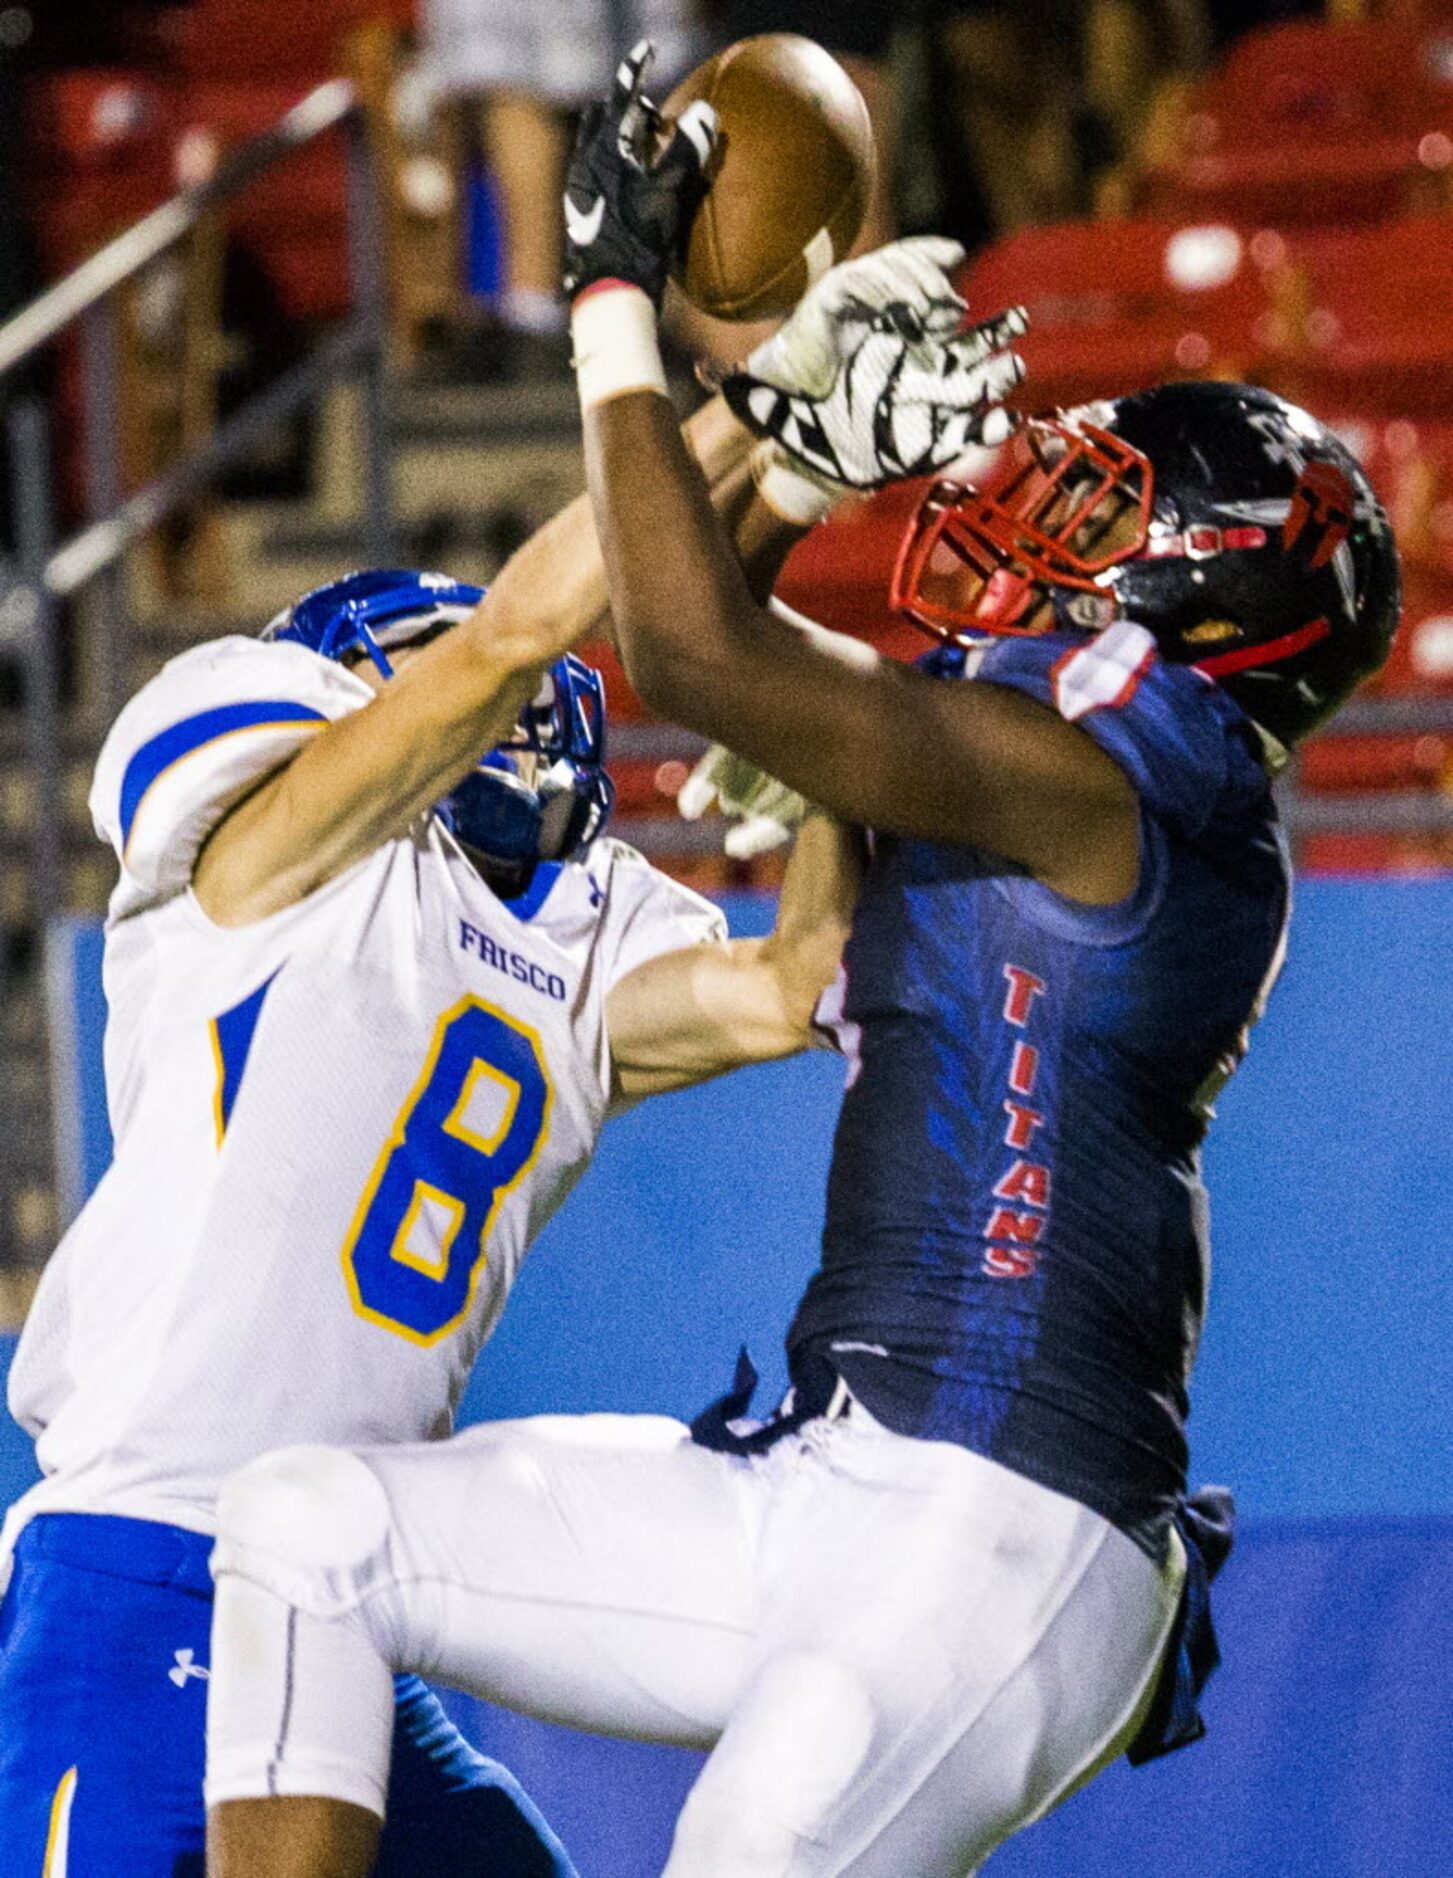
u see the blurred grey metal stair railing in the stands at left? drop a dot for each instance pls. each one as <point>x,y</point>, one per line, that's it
<point>46,570</point>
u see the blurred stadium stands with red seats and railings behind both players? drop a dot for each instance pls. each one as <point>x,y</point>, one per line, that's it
<point>279,298</point>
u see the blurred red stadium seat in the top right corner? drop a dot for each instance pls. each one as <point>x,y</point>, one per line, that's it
<point>1311,123</point>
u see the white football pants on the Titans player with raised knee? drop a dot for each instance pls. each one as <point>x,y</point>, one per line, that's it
<point>896,1650</point>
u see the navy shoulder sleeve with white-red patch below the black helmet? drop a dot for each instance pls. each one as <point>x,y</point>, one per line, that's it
<point>1172,733</point>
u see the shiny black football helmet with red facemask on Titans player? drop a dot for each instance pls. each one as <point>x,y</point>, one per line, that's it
<point>1229,523</point>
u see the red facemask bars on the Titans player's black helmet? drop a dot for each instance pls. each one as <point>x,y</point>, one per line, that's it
<point>1069,500</point>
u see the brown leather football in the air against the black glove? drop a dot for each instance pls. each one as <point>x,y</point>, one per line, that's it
<point>789,181</point>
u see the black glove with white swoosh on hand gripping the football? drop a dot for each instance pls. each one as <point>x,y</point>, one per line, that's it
<point>628,213</point>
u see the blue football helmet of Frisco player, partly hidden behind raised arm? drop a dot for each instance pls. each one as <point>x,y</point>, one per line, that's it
<point>493,810</point>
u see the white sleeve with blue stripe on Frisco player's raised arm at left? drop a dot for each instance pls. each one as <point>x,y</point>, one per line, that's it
<point>194,741</point>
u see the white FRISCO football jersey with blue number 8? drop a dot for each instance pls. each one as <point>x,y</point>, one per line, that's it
<point>337,1130</point>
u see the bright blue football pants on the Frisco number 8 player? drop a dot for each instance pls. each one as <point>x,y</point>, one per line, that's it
<point>104,1648</point>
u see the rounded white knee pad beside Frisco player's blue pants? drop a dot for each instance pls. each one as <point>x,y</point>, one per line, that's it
<point>307,1524</point>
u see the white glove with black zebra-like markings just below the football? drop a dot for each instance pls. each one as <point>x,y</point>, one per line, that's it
<point>872,380</point>
